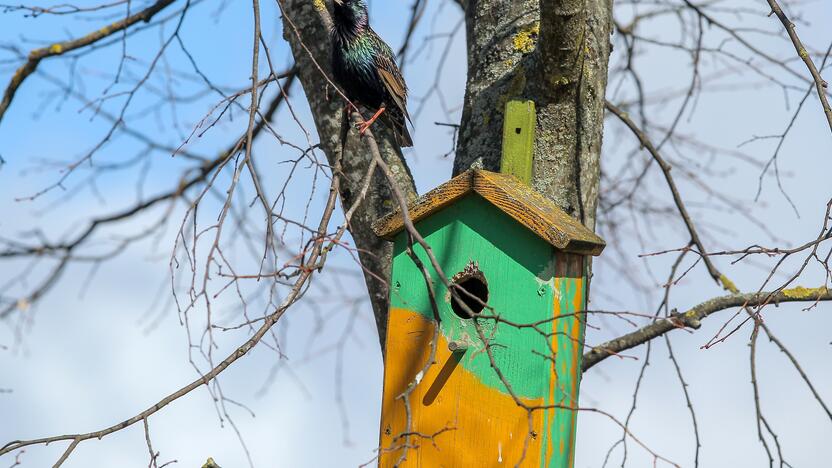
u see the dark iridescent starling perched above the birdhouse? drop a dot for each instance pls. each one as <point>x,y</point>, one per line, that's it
<point>364,67</point>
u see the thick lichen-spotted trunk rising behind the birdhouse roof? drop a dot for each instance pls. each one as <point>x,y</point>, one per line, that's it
<point>558,60</point>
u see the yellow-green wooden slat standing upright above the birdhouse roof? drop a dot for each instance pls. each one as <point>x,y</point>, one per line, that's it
<point>518,140</point>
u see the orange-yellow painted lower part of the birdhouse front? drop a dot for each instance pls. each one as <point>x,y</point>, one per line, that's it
<point>465,425</point>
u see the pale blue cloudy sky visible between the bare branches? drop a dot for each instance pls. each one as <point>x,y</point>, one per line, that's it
<point>85,358</point>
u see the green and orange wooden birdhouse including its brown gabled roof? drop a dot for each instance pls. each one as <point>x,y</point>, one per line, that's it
<point>503,383</point>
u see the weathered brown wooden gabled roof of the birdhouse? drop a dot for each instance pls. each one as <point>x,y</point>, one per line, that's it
<point>511,196</point>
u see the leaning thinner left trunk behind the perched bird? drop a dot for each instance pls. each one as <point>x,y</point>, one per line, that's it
<point>374,253</point>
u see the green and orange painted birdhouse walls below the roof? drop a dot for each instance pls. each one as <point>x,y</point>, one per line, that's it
<point>460,404</point>
